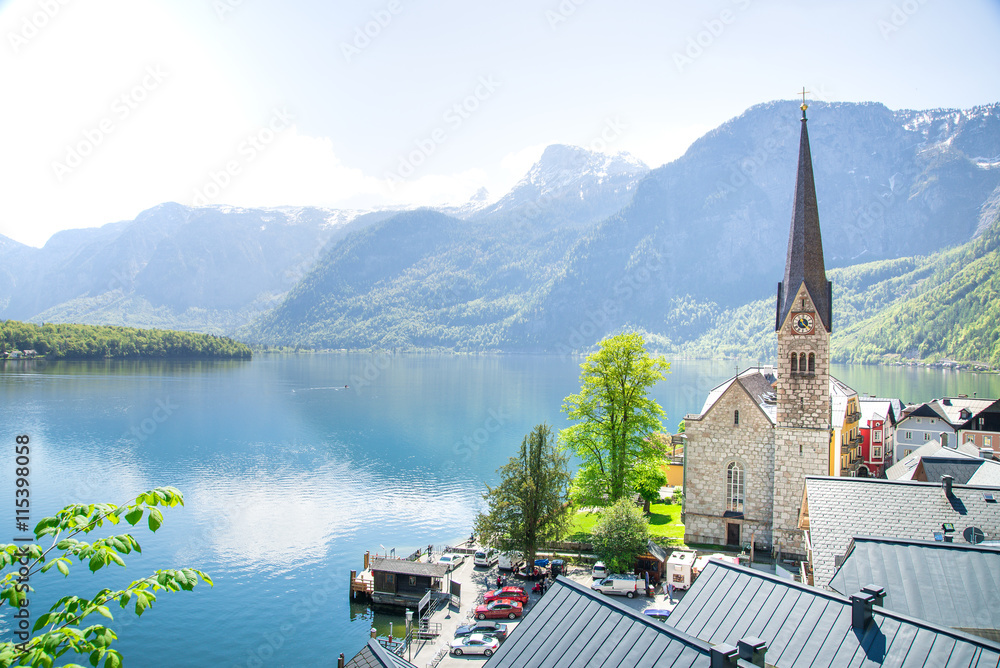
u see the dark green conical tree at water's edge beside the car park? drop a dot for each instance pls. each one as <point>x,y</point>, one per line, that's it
<point>530,505</point>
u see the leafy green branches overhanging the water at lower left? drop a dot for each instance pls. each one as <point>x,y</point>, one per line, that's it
<point>61,630</point>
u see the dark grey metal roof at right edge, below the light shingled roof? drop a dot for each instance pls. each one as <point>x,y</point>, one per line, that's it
<point>952,584</point>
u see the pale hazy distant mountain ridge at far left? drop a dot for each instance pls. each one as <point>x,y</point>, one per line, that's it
<point>207,269</point>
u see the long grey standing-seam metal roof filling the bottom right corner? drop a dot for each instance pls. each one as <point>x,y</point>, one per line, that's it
<point>804,626</point>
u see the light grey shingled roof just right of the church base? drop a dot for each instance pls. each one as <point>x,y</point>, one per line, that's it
<point>840,508</point>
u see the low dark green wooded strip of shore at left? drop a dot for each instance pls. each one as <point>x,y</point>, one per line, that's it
<point>100,342</point>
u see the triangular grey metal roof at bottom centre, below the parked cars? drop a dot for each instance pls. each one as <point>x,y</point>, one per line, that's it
<point>573,625</point>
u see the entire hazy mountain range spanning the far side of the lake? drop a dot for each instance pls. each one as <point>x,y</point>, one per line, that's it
<point>584,245</point>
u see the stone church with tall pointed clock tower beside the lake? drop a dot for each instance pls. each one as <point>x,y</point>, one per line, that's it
<point>761,432</point>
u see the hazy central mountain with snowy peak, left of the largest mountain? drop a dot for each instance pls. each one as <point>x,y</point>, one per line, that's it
<point>430,280</point>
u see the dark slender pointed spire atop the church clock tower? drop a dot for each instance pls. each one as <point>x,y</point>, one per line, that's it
<point>804,262</point>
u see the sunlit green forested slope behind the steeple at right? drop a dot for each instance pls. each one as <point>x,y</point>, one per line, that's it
<point>943,306</point>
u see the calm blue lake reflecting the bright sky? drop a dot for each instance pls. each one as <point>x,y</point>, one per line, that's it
<point>291,467</point>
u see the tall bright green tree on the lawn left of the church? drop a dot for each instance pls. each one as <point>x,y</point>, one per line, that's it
<point>616,421</point>
